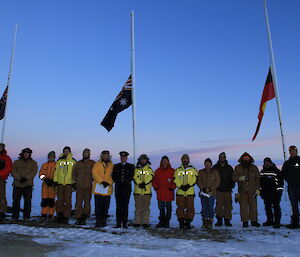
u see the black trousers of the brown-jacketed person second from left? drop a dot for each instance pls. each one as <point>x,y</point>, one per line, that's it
<point>18,192</point>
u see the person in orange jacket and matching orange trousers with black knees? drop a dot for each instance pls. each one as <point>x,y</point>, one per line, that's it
<point>48,193</point>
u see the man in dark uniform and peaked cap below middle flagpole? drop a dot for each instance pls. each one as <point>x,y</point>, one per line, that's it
<point>122,176</point>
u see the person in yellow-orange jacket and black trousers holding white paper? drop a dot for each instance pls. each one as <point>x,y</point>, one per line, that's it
<point>102,187</point>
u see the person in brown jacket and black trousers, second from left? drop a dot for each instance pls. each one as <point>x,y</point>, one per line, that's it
<point>24,170</point>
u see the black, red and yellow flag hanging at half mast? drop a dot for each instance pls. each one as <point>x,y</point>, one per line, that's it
<point>268,94</point>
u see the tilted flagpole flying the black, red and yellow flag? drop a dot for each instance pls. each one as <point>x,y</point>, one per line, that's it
<point>273,71</point>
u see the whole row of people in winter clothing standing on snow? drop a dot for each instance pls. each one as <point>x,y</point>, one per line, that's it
<point>216,182</point>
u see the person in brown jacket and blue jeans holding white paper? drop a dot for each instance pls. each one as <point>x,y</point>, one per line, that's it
<point>208,181</point>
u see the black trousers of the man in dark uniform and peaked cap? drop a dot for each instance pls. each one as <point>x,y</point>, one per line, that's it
<point>122,201</point>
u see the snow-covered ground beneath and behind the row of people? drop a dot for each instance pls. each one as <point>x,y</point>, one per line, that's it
<point>87,241</point>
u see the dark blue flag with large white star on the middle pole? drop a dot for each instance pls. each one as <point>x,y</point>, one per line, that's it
<point>122,102</point>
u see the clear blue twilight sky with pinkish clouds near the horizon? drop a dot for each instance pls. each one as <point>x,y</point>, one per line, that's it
<point>200,71</point>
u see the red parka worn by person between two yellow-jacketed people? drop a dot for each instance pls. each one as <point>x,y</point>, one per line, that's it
<point>163,183</point>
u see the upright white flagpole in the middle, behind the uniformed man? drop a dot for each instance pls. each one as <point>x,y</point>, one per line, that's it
<point>133,84</point>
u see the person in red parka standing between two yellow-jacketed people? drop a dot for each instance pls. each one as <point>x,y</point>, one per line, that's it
<point>164,186</point>
